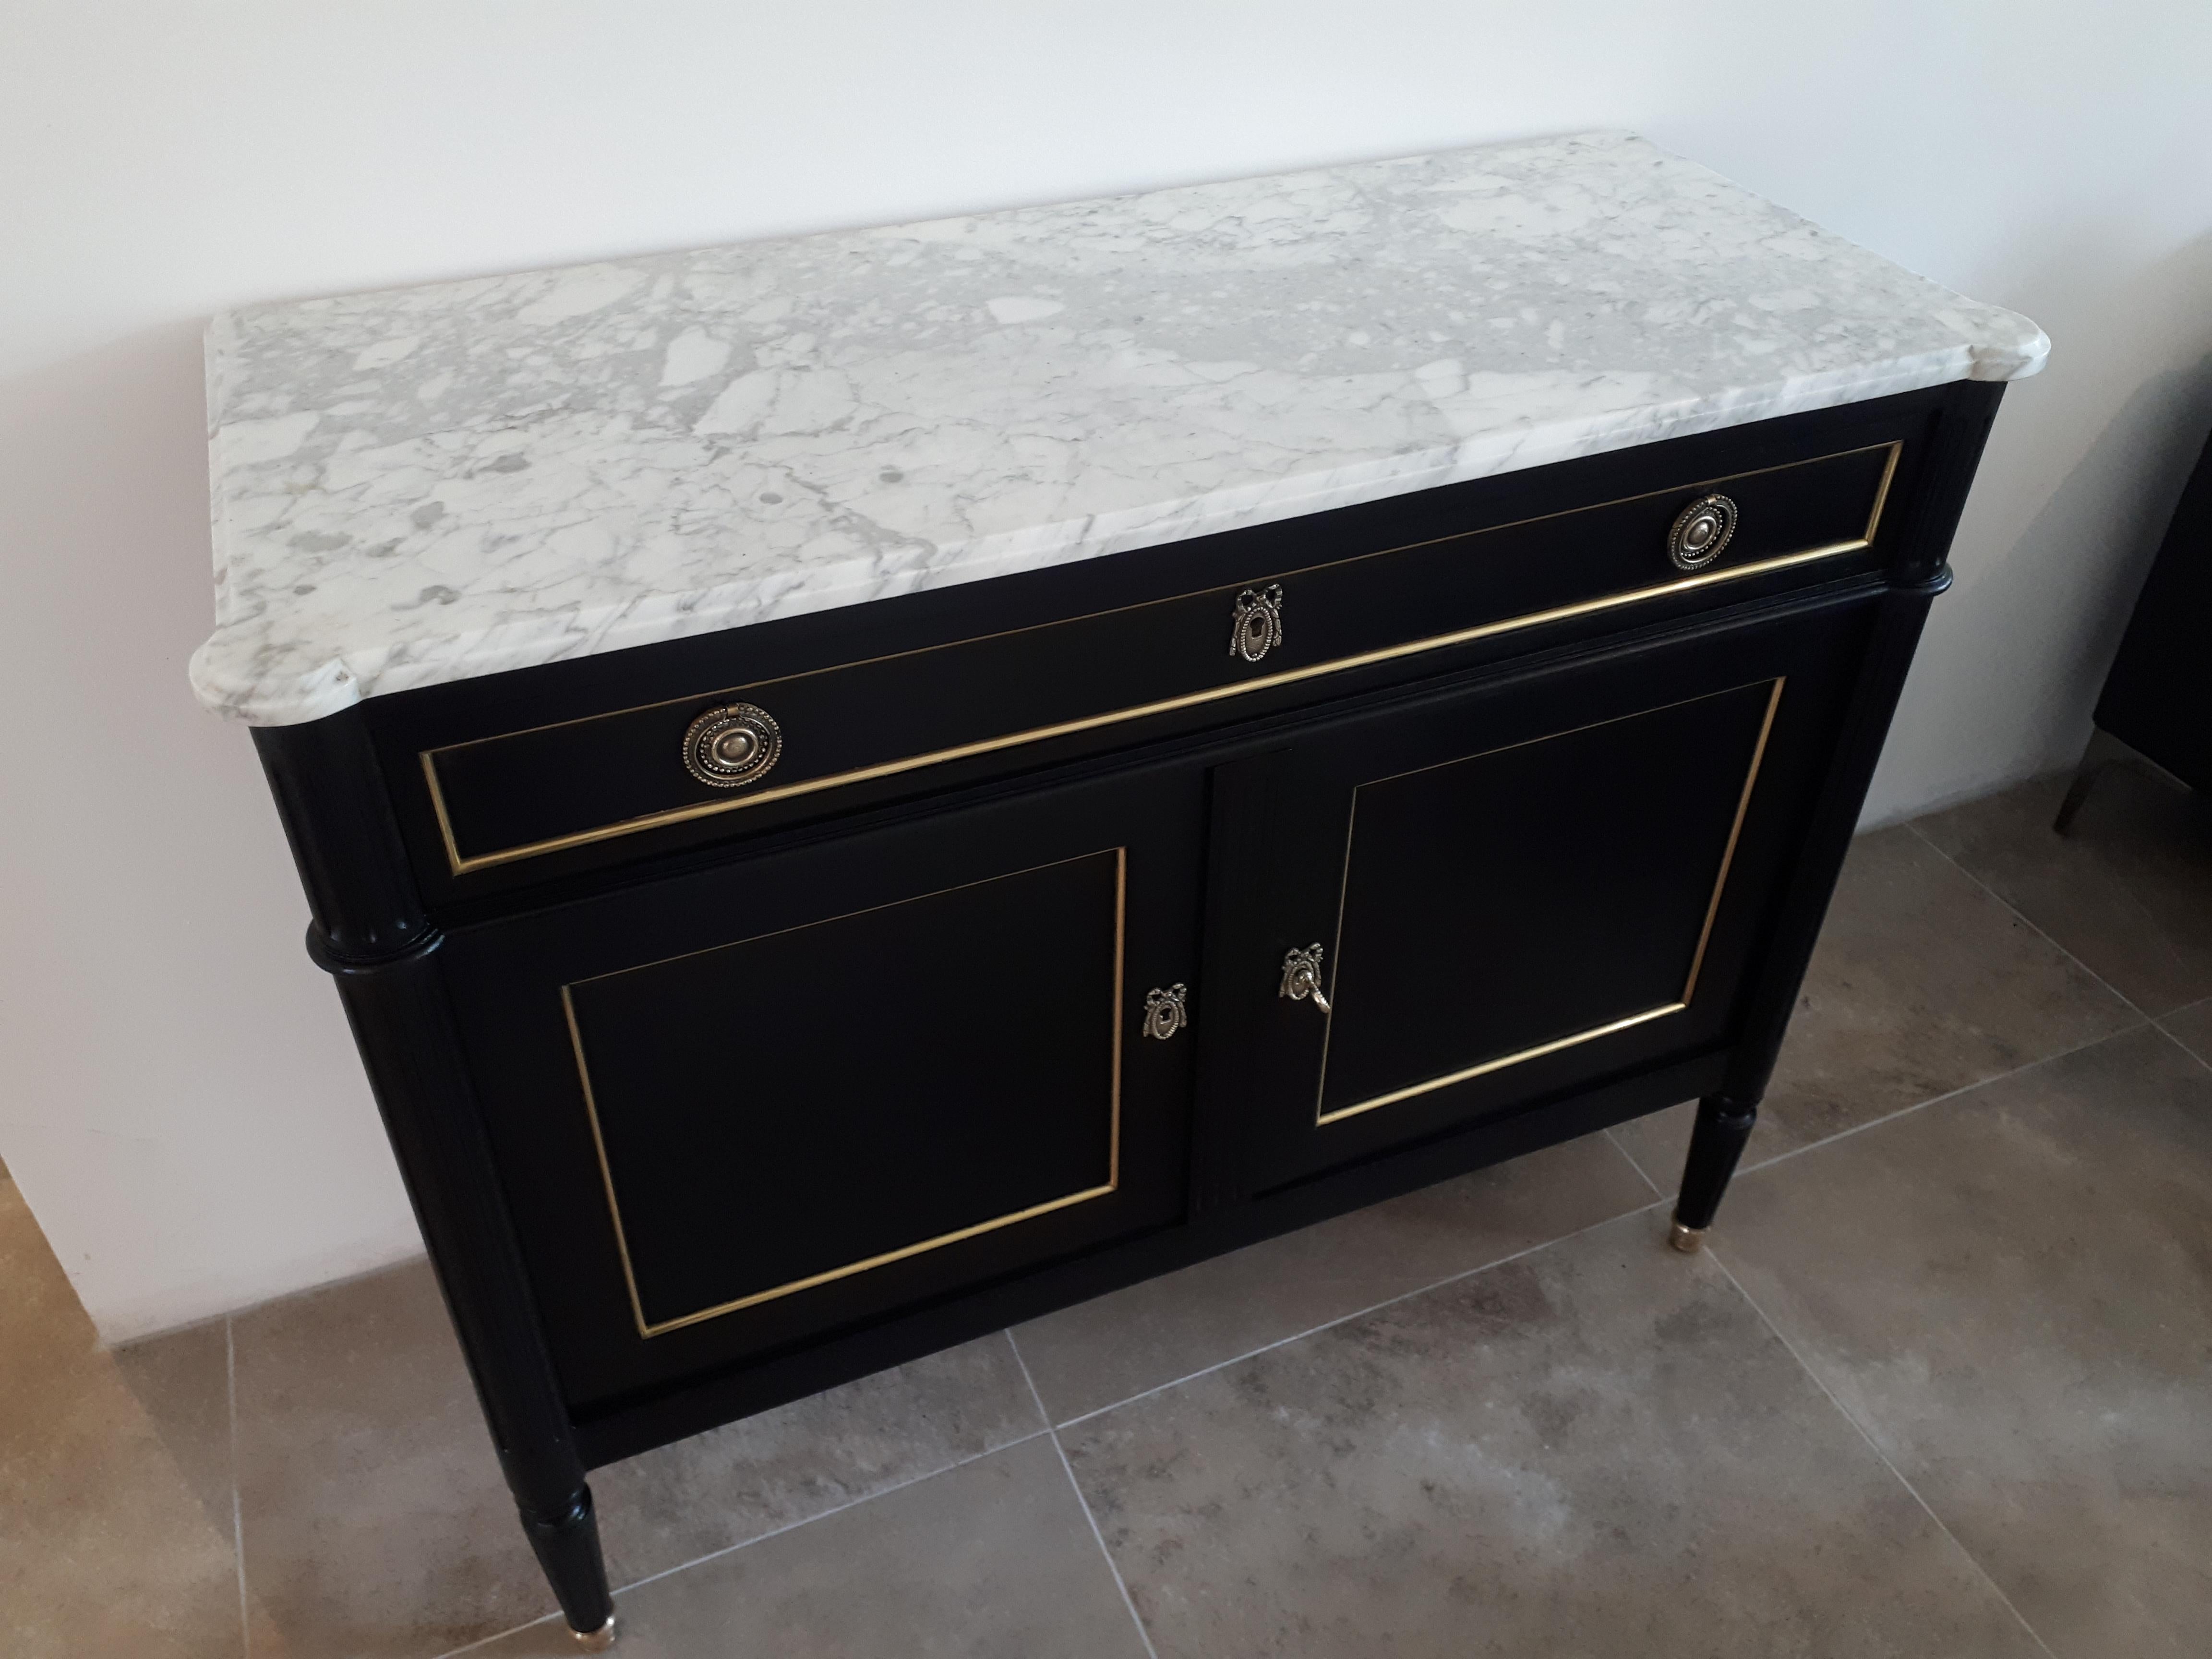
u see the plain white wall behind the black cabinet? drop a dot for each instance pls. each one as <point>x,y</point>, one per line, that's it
<point>178,1094</point>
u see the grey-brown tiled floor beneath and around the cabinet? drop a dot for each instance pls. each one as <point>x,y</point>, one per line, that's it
<point>1941,1386</point>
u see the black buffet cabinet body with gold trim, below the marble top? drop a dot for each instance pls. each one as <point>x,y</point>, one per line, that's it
<point>760,1010</point>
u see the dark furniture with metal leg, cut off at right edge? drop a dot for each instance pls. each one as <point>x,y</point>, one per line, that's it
<point>2158,702</point>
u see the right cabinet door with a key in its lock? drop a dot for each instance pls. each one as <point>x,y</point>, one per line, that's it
<point>1510,893</point>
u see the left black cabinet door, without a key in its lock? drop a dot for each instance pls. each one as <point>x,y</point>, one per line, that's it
<point>751,1105</point>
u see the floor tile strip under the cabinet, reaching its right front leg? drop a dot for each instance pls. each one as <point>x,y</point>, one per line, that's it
<point>1167,1328</point>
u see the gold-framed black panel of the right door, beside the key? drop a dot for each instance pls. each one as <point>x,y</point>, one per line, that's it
<point>1636,820</point>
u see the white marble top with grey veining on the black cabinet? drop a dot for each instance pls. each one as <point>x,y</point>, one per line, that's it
<point>461,479</point>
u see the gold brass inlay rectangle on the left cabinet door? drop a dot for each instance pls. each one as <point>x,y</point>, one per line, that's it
<point>994,1224</point>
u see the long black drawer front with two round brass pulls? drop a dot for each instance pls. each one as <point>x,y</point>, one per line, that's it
<point>532,793</point>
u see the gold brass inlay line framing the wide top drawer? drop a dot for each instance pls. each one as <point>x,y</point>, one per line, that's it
<point>461,866</point>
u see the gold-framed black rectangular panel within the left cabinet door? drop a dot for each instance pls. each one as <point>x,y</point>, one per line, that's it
<point>742,1081</point>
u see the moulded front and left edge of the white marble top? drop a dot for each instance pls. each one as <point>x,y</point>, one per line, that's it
<point>238,685</point>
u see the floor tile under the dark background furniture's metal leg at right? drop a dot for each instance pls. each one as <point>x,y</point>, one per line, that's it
<point>2129,888</point>
